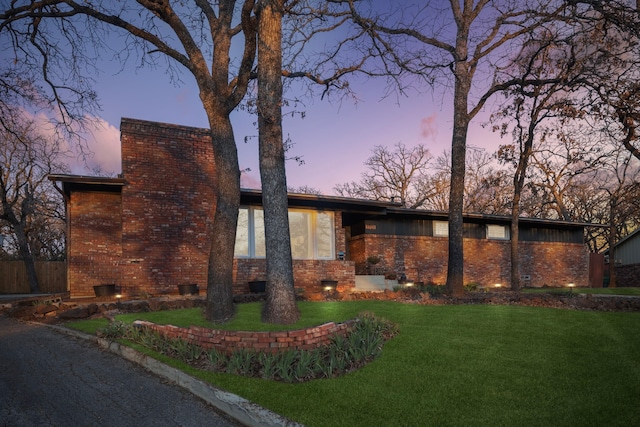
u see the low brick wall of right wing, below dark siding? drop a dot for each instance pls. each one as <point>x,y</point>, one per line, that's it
<point>486,262</point>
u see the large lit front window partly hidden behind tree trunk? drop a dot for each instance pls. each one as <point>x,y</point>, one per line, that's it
<point>312,234</point>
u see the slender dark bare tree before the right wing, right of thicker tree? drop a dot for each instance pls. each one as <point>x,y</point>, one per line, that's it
<point>547,66</point>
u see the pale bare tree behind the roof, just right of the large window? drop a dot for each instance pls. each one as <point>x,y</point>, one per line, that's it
<point>399,175</point>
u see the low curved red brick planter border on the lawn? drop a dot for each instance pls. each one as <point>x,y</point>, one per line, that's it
<point>272,342</point>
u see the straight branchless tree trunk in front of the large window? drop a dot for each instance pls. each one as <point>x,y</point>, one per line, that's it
<point>280,306</point>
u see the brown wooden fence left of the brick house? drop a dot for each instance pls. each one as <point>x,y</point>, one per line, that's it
<point>52,276</point>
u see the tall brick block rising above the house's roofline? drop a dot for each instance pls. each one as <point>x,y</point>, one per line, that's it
<point>168,205</point>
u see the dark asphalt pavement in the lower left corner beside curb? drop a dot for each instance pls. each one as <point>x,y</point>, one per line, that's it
<point>50,379</point>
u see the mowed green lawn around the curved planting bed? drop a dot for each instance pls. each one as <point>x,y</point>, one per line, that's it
<point>460,365</point>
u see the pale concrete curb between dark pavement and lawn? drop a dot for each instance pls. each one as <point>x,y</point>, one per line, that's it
<point>240,409</point>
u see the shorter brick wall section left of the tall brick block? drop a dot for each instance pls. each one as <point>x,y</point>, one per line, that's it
<point>94,241</point>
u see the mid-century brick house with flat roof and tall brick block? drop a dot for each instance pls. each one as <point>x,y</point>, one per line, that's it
<point>146,231</point>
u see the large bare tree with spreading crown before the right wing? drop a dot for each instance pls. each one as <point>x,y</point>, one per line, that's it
<point>462,43</point>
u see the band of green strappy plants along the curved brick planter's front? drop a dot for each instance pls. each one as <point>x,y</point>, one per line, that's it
<point>342,355</point>
